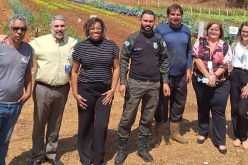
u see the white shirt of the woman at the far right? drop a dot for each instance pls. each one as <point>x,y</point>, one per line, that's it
<point>240,56</point>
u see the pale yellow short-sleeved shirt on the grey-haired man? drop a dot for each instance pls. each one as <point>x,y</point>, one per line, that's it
<point>51,58</point>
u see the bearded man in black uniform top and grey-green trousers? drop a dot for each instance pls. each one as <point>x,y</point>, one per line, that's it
<point>149,60</point>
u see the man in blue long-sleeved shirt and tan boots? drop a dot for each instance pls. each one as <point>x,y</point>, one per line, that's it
<point>177,37</point>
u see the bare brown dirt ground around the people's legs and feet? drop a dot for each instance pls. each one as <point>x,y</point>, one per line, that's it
<point>175,153</point>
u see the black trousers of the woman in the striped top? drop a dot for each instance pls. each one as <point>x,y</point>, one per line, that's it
<point>93,123</point>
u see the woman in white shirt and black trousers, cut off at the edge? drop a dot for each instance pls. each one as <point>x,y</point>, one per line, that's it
<point>239,87</point>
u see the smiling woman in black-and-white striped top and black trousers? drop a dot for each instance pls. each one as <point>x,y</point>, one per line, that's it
<point>97,61</point>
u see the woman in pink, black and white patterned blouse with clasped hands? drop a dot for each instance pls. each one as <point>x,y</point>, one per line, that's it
<point>212,57</point>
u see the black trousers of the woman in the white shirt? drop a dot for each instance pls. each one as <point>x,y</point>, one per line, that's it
<point>239,107</point>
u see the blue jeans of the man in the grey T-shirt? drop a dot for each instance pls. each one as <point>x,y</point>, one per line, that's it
<point>9,114</point>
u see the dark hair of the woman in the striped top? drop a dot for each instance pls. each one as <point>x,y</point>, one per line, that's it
<point>91,22</point>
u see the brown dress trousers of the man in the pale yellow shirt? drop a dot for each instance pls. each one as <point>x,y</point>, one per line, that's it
<point>49,104</point>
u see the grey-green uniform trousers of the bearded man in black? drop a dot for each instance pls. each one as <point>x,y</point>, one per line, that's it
<point>138,90</point>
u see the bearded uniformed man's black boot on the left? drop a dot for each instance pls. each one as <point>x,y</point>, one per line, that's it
<point>121,151</point>
